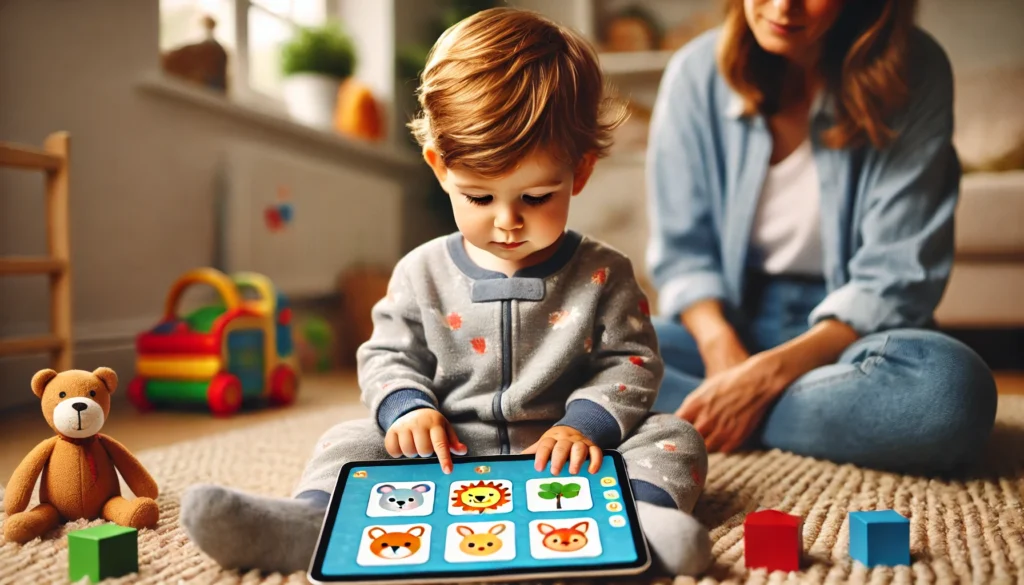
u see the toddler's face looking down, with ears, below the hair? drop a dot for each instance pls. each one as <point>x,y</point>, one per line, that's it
<point>520,217</point>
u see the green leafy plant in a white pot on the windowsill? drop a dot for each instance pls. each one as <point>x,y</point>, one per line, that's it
<point>315,64</point>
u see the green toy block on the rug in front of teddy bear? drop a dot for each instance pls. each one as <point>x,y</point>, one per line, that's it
<point>103,552</point>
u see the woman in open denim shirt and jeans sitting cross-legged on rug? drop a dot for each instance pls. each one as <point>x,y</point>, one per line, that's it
<point>803,189</point>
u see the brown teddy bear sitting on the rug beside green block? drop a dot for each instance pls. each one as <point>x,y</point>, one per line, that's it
<point>79,467</point>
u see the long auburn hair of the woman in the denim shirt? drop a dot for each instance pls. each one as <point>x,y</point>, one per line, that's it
<point>864,61</point>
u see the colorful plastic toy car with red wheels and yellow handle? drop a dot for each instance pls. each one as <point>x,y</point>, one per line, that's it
<point>222,356</point>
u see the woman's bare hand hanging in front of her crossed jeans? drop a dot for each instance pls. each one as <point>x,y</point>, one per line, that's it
<point>729,407</point>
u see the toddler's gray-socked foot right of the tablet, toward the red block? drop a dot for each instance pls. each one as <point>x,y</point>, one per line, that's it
<point>679,545</point>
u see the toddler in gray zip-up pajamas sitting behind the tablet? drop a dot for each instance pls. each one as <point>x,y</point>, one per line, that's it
<point>511,336</point>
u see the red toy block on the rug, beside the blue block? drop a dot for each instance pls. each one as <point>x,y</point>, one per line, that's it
<point>774,540</point>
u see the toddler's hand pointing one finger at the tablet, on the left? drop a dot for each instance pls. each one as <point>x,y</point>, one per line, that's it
<point>424,433</point>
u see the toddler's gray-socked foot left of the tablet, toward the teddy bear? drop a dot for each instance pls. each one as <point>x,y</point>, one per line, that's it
<point>242,531</point>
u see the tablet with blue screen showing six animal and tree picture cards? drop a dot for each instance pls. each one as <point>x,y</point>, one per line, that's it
<point>496,518</point>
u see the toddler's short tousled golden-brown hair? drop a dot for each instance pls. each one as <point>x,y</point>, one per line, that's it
<point>504,82</point>
